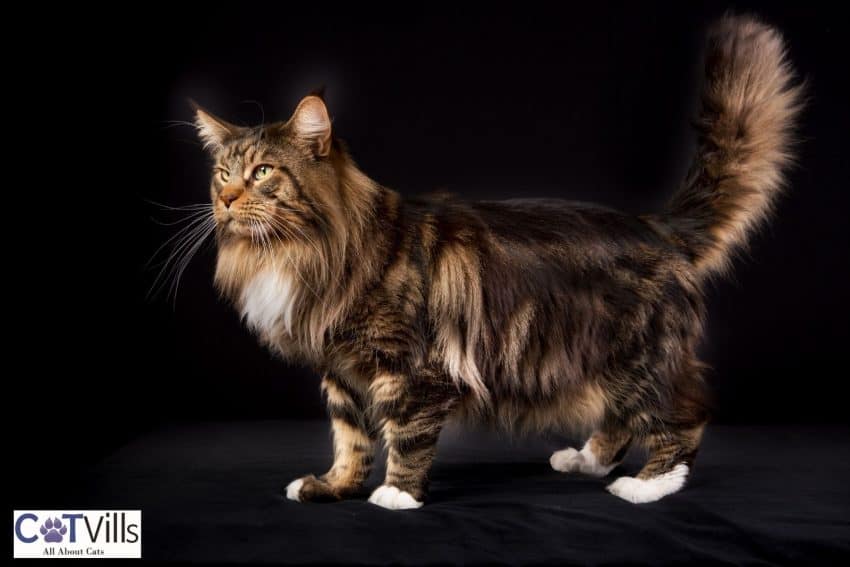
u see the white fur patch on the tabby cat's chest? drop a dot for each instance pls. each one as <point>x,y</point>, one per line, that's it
<point>268,302</point>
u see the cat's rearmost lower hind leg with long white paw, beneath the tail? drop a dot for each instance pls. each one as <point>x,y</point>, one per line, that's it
<point>671,456</point>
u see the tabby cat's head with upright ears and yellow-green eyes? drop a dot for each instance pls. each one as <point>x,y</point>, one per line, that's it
<point>273,183</point>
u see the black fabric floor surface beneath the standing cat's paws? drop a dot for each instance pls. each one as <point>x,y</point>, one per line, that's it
<point>214,492</point>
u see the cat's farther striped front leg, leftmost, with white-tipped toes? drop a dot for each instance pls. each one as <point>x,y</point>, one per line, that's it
<point>354,448</point>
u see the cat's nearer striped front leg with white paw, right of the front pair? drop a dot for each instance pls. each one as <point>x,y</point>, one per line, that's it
<point>411,413</point>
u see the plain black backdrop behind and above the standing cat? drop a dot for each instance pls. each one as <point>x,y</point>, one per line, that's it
<point>591,102</point>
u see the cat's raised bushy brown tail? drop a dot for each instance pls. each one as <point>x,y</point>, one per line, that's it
<point>749,109</point>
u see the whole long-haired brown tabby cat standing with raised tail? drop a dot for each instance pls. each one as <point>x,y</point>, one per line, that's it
<point>527,313</point>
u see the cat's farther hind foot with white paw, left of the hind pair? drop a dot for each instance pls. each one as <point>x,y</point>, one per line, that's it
<point>600,454</point>
